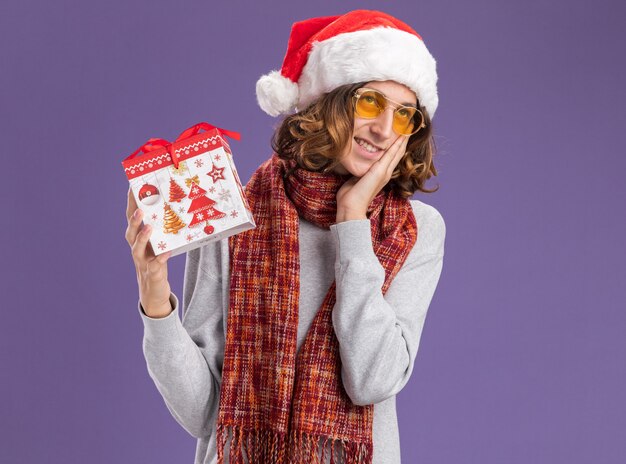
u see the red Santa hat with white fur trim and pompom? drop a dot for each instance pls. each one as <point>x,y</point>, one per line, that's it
<point>325,53</point>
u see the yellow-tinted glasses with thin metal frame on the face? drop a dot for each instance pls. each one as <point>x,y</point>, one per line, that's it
<point>370,103</point>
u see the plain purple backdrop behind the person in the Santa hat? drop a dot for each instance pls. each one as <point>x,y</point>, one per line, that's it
<point>522,358</point>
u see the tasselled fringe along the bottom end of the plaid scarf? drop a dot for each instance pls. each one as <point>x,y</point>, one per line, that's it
<point>270,447</point>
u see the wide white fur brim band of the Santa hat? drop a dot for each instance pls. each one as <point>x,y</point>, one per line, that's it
<point>370,55</point>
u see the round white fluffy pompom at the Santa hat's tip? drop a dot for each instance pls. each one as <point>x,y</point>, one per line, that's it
<point>276,94</point>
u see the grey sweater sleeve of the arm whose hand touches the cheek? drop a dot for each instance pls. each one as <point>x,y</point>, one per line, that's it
<point>379,335</point>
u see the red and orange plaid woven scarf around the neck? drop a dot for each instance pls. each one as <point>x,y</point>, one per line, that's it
<point>278,405</point>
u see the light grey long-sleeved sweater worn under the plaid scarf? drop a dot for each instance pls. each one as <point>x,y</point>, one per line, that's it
<point>378,336</point>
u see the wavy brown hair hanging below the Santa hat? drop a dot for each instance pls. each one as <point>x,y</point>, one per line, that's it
<point>316,136</point>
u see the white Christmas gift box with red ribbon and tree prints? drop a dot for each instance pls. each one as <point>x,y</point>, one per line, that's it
<point>189,190</point>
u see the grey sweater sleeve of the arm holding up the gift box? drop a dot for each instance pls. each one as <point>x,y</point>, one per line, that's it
<point>184,358</point>
